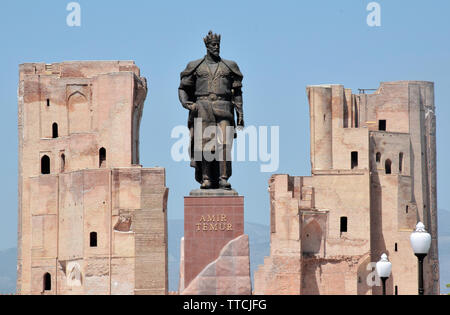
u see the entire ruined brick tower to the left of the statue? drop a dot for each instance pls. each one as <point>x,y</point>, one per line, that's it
<point>91,219</point>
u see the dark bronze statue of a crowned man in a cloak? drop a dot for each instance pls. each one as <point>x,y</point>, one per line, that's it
<point>211,89</point>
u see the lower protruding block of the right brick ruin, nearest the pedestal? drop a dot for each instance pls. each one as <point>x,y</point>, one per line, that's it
<point>309,254</point>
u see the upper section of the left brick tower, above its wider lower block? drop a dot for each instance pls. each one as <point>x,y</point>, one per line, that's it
<point>90,112</point>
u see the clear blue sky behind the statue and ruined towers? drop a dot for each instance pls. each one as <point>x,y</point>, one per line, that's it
<point>280,46</point>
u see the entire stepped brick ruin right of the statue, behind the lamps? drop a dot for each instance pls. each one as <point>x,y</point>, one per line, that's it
<point>373,162</point>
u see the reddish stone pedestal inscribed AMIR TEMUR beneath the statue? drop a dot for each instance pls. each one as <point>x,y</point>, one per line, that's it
<point>214,233</point>
